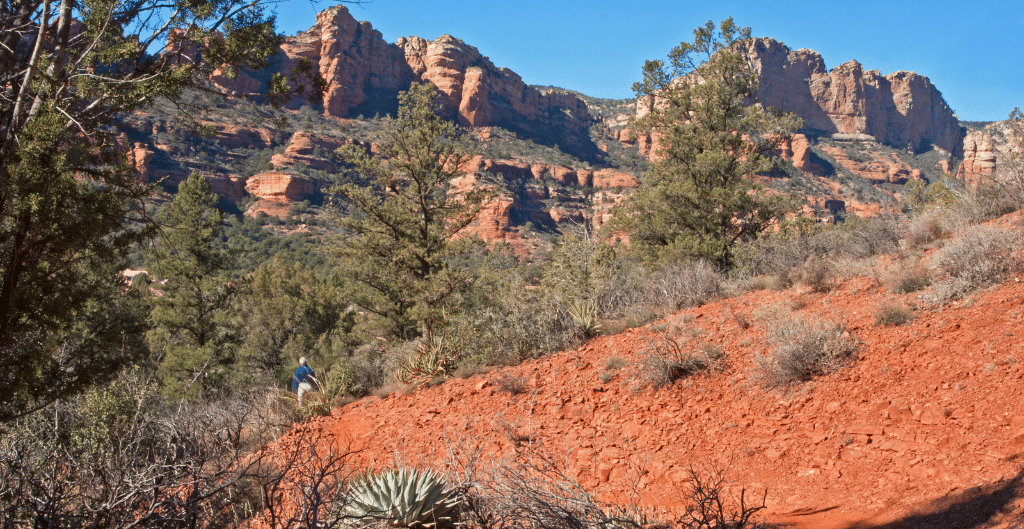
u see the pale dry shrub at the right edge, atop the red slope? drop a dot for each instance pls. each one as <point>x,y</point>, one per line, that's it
<point>982,257</point>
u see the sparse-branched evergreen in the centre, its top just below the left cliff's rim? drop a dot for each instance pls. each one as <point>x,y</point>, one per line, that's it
<point>400,235</point>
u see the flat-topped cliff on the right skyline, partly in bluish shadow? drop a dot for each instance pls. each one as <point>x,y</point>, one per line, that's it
<point>903,110</point>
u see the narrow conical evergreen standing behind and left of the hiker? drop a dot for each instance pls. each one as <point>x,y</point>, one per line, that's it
<point>191,332</point>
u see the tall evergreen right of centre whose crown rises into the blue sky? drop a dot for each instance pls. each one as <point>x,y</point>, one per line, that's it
<point>699,198</point>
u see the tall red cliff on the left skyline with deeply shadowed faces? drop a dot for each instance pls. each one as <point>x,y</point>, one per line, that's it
<point>365,74</point>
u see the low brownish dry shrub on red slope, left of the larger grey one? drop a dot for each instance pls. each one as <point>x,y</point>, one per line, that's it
<point>666,360</point>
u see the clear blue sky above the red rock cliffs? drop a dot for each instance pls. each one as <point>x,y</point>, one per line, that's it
<point>974,53</point>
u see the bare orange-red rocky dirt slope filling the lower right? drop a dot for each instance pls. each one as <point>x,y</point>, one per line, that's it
<point>924,430</point>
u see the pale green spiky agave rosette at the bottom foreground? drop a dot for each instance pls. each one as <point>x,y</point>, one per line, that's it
<point>404,499</point>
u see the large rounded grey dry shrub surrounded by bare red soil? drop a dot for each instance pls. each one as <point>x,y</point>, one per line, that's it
<point>804,348</point>
